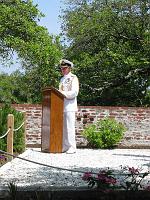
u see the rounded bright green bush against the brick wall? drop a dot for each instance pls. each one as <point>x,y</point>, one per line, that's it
<point>105,133</point>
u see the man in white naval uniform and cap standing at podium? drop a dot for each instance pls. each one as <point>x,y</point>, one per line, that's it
<point>69,86</point>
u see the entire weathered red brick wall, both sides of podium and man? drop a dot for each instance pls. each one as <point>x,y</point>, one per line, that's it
<point>136,119</point>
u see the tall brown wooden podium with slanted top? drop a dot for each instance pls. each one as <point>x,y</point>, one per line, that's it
<point>52,120</point>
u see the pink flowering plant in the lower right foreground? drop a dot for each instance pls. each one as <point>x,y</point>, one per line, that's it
<point>106,180</point>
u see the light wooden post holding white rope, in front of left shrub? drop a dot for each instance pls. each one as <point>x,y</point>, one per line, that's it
<point>10,125</point>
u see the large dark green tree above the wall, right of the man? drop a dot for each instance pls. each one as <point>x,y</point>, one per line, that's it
<point>110,43</point>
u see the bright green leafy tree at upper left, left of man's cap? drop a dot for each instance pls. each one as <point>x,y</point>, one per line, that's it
<point>38,51</point>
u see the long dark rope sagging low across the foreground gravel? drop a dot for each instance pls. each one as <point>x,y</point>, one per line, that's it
<point>60,168</point>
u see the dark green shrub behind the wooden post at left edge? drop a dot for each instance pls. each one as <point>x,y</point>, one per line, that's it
<point>19,140</point>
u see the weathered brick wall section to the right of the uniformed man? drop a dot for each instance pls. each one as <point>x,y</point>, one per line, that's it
<point>137,121</point>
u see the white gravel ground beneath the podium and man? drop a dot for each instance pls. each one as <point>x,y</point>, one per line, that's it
<point>29,175</point>
